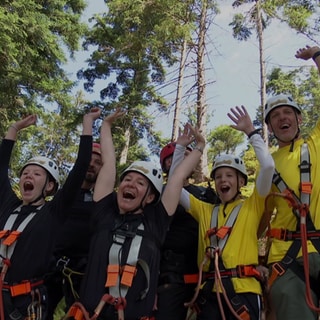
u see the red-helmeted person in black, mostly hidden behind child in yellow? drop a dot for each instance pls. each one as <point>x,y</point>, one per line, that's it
<point>179,268</point>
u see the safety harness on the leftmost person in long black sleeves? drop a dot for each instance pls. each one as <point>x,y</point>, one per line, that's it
<point>9,238</point>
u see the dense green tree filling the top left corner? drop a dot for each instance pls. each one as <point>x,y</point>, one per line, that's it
<point>35,37</point>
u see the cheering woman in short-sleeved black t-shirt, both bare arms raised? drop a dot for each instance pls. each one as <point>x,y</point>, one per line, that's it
<point>130,227</point>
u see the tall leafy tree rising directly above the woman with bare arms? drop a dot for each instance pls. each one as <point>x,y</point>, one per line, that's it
<point>132,42</point>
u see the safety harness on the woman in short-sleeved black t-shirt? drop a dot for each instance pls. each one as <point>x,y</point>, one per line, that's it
<point>119,276</point>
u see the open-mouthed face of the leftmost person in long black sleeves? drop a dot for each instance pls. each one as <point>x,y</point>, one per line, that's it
<point>32,181</point>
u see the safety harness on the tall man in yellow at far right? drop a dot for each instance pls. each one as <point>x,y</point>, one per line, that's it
<point>305,229</point>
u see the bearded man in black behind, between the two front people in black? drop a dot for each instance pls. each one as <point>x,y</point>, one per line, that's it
<point>73,239</point>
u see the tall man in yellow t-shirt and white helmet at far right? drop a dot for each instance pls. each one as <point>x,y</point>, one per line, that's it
<point>297,162</point>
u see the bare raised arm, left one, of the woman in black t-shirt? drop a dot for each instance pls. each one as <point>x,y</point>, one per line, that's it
<point>107,175</point>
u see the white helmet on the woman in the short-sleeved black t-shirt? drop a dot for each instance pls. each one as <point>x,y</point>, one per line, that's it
<point>149,170</point>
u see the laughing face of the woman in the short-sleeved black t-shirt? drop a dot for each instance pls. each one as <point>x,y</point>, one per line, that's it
<point>134,192</point>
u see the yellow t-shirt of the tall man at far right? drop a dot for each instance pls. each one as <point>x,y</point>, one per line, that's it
<point>287,164</point>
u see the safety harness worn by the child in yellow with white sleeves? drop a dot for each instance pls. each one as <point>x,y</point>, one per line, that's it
<point>218,273</point>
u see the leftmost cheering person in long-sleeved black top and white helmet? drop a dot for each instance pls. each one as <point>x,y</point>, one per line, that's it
<point>28,224</point>
